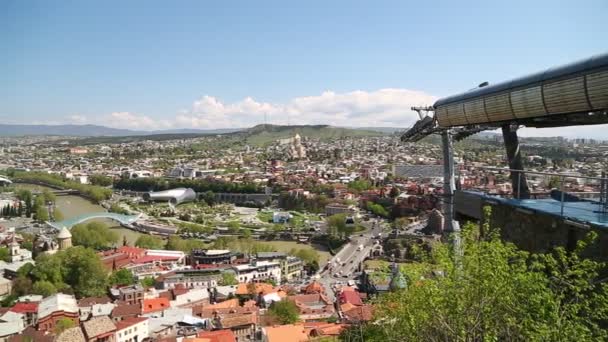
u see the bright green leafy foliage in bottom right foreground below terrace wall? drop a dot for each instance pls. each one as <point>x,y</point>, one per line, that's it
<point>491,291</point>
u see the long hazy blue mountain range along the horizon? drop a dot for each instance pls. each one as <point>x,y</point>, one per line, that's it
<point>102,131</point>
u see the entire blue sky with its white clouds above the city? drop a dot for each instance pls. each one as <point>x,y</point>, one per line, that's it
<point>210,64</point>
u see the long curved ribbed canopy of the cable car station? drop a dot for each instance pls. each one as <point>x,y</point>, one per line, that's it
<point>578,87</point>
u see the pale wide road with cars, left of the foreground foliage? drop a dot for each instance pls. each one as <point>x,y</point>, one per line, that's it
<point>345,264</point>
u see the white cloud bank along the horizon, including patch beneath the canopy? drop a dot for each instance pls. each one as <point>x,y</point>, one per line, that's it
<point>384,107</point>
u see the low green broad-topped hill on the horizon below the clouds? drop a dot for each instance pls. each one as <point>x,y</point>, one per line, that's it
<point>265,134</point>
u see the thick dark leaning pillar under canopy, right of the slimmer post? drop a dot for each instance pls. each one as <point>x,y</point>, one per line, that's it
<point>518,179</point>
